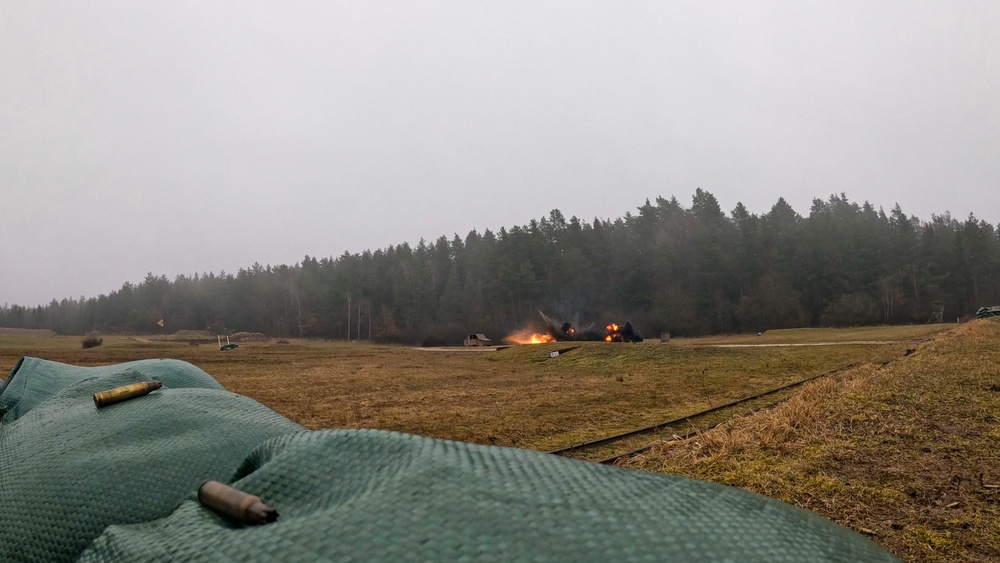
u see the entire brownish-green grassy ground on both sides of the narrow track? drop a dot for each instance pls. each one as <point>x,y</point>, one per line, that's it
<point>887,447</point>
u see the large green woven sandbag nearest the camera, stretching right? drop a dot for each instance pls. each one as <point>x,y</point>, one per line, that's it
<point>366,495</point>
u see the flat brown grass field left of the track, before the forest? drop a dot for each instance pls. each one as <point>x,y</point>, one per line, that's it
<point>512,397</point>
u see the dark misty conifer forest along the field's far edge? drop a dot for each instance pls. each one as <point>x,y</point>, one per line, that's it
<point>666,267</point>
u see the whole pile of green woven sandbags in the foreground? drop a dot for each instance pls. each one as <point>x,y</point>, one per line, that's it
<point>118,484</point>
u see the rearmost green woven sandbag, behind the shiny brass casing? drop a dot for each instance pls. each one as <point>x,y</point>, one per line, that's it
<point>33,380</point>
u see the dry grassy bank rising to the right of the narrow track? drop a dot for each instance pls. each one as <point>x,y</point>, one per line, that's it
<point>900,451</point>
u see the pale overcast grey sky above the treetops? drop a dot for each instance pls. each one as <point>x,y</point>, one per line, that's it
<point>191,136</point>
